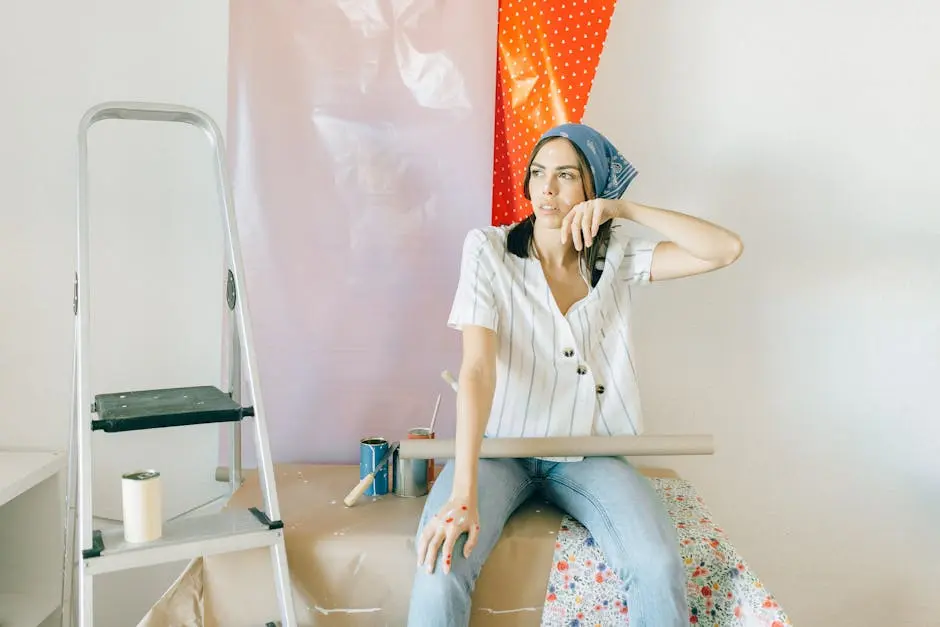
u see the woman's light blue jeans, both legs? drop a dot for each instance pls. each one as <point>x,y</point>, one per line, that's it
<point>607,495</point>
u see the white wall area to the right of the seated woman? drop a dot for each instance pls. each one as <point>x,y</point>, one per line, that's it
<point>812,129</point>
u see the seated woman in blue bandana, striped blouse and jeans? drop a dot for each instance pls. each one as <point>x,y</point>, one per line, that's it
<point>544,310</point>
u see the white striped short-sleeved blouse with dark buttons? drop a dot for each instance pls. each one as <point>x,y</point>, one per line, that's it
<point>557,375</point>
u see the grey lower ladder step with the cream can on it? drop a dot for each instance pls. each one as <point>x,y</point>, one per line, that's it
<point>185,538</point>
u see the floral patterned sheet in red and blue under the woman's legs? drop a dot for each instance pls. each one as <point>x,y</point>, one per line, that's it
<point>722,590</point>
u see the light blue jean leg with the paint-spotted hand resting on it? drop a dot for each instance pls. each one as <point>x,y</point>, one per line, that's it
<point>443,600</point>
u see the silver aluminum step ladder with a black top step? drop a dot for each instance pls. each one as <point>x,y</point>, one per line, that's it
<point>90,552</point>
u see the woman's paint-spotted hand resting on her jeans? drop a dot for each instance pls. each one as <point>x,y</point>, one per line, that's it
<point>458,516</point>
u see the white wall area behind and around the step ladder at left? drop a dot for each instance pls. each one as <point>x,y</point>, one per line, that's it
<point>156,237</point>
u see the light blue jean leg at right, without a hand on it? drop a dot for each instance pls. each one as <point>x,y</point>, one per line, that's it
<point>631,526</point>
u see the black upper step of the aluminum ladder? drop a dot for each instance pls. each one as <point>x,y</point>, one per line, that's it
<point>166,407</point>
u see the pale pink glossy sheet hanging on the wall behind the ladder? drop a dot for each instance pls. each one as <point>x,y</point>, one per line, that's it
<point>360,136</point>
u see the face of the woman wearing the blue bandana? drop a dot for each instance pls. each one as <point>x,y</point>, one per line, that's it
<point>555,182</point>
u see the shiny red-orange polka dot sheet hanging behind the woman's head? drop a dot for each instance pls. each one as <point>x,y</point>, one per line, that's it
<point>548,52</point>
